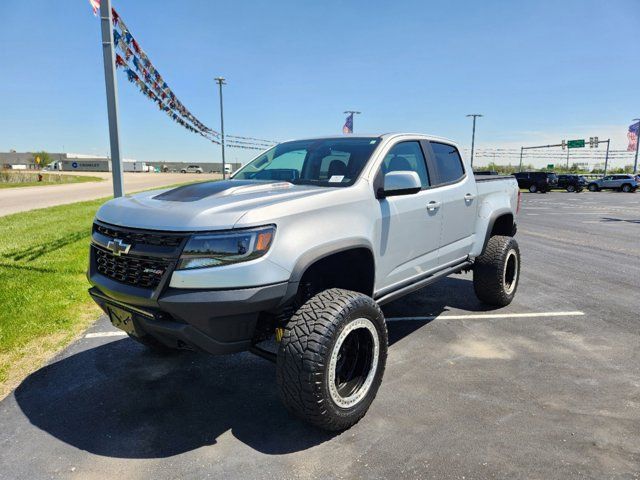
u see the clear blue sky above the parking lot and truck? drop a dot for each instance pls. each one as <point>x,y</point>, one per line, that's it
<point>539,71</point>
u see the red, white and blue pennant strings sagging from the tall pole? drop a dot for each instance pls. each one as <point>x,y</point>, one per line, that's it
<point>135,63</point>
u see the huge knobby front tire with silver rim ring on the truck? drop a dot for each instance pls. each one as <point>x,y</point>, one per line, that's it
<point>305,357</point>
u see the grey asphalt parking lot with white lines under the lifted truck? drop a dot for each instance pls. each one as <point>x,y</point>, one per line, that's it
<point>548,387</point>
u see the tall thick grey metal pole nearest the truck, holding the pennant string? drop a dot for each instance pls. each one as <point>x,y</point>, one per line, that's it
<point>108,56</point>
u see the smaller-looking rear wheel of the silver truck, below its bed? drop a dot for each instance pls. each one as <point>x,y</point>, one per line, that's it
<point>496,272</point>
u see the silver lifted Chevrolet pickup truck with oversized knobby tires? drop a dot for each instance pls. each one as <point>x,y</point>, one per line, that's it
<point>302,246</point>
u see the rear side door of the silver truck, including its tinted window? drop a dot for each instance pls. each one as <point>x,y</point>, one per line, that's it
<point>456,189</point>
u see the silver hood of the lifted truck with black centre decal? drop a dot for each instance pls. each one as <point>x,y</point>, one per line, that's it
<point>200,206</point>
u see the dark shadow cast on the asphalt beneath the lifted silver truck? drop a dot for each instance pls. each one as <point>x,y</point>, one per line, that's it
<point>120,400</point>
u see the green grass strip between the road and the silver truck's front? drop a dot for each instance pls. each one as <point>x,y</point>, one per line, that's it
<point>43,289</point>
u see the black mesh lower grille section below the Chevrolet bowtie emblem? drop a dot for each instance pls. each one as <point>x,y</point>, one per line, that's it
<point>143,272</point>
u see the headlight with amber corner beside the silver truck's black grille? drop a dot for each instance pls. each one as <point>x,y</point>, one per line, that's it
<point>217,249</point>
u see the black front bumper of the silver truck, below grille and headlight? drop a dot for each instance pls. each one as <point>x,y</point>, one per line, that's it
<point>213,321</point>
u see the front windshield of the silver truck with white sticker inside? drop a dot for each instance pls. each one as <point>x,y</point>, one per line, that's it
<point>329,162</point>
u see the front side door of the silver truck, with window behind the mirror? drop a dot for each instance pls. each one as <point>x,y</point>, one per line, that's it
<point>408,225</point>
